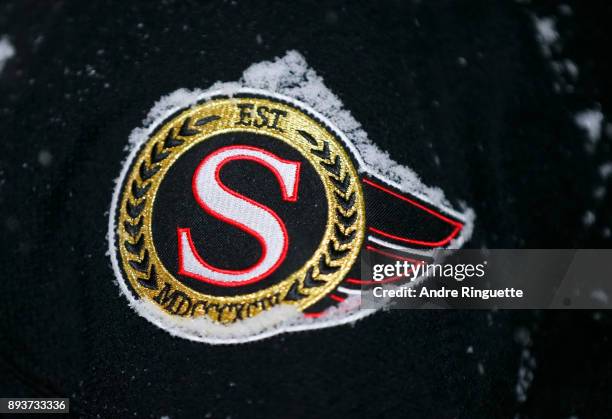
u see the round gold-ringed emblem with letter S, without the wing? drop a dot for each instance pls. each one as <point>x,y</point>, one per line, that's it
<point>237,205</point>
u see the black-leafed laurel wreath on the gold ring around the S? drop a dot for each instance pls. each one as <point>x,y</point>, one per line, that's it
<point>348,221</point>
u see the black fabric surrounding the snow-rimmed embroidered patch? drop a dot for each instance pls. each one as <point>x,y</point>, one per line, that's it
<point>86,73</point>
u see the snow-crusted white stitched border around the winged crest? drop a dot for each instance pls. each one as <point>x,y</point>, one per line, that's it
<point>282,318</point>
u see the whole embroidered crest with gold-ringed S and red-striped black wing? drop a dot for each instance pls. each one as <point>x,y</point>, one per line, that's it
<point>245,213</point>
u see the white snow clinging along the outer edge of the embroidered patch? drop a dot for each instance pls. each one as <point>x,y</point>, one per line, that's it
<point>288,76</point>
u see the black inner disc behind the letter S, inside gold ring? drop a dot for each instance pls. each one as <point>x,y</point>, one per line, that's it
<point>221,244</point>
